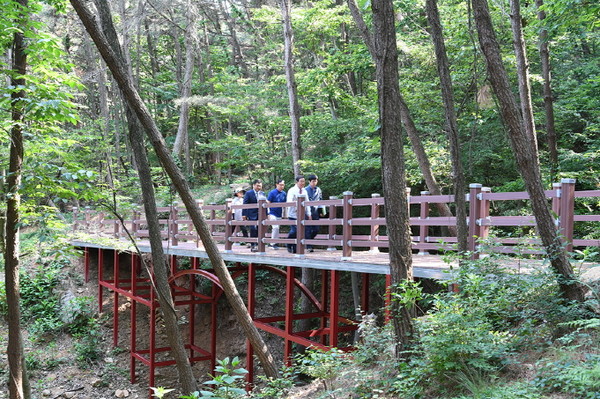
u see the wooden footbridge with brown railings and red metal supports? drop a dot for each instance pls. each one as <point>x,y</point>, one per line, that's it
<point>352,239</point>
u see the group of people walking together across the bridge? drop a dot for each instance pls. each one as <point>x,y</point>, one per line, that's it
<point>278,195</point>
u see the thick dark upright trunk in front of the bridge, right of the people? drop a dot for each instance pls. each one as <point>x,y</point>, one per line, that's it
<point>392,165</point>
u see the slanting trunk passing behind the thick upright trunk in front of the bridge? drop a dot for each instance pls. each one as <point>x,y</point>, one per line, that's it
<point>407,121</point>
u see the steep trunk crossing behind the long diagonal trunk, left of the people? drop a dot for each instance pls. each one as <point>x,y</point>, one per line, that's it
<point>161,283</point>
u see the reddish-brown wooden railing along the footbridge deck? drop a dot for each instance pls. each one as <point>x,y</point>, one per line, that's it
<point>358,223</point>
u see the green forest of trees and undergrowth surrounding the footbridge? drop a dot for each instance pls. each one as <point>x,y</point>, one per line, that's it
<point>235,90</point>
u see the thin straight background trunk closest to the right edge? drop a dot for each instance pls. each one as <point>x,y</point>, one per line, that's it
<point>547,92</point>
